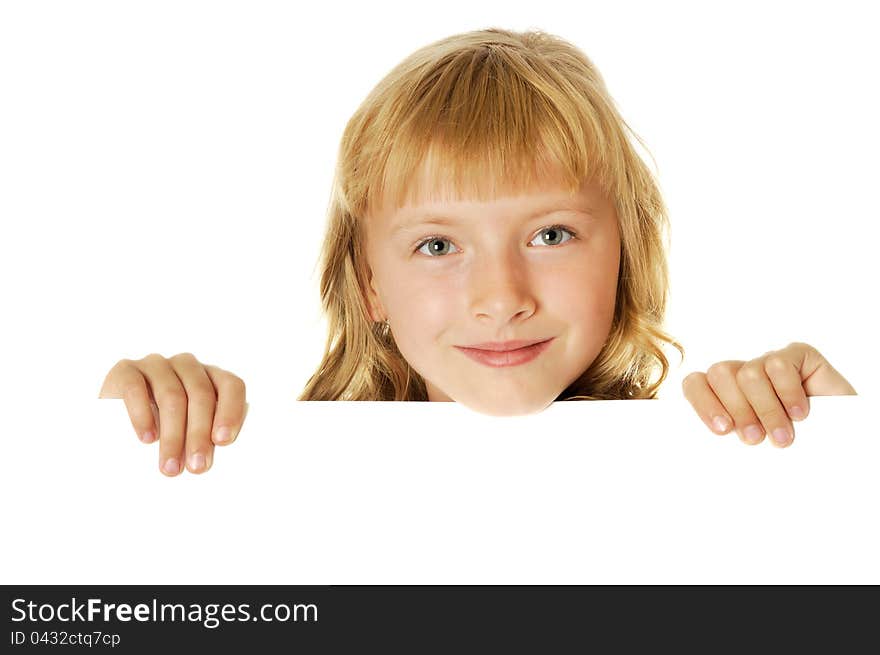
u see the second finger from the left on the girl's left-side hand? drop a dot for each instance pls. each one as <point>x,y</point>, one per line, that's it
<point>170,397</point>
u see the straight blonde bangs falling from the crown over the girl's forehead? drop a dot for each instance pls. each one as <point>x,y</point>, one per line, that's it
<point>484,124</point>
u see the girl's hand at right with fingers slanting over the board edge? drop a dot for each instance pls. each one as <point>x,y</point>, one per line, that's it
<point>764,395</point>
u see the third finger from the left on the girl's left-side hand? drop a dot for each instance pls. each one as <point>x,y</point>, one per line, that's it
<point>201,402</point>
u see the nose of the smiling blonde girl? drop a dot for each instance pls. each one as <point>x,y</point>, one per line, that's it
<point>500,291</point>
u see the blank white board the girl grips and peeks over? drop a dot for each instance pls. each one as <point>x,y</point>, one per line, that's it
<point>611,492</point>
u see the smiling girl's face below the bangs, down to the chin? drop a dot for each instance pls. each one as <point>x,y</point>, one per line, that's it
<point>498,305</point>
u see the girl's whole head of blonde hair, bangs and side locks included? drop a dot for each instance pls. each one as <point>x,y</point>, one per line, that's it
<point>483,113</point>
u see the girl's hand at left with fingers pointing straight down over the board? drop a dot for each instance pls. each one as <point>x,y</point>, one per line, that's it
<point>199,406</point>
